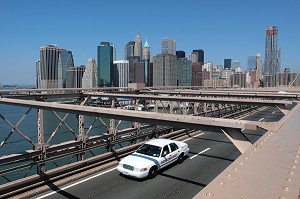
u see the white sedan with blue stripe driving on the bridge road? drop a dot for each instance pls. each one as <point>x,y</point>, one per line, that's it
<point>151,157</point>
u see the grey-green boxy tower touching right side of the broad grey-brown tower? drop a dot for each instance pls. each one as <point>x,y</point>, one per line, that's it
<point>184,72</point>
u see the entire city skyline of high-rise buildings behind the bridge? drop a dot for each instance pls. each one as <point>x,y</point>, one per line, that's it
<point>55,68</point>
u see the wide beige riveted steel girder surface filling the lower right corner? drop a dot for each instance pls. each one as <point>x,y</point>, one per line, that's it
<point>269,169</point>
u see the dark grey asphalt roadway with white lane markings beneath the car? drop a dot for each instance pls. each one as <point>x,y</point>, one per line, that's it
<point>176,181</point>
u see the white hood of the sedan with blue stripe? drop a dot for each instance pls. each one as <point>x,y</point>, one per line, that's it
<point>138,160</point>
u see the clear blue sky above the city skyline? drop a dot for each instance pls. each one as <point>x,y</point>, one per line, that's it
<point>222,28</point>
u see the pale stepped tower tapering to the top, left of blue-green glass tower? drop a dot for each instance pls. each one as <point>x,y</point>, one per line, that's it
<point>90,75</point>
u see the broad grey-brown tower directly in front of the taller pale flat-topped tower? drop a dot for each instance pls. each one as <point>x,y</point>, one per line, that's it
<point>164,70</point>
